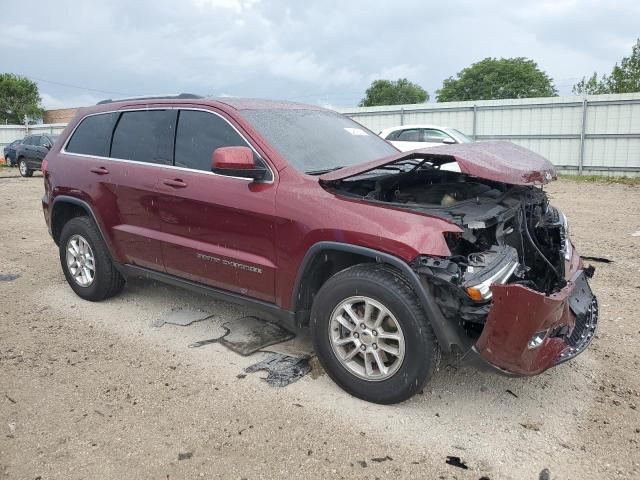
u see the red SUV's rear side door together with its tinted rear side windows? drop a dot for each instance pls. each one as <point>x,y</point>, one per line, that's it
<point>119,157</point>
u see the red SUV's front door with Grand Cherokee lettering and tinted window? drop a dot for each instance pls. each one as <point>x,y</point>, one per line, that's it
<point>217,230</point>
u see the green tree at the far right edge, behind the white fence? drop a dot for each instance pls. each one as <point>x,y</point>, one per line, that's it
<point>624,78</point>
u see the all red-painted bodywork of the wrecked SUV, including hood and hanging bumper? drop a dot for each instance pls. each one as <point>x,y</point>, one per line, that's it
<point>202,226</point>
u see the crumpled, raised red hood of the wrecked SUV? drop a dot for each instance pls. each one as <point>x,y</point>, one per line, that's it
<point>503,162</point>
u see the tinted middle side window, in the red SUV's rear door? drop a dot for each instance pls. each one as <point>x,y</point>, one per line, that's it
<point>145,136</point>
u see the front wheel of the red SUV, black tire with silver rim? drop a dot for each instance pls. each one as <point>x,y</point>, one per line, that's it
<point>411,363</point>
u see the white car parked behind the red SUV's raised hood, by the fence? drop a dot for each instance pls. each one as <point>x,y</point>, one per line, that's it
<point>412,137</point>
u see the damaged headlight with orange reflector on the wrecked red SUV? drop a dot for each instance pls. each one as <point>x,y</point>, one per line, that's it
<point>495,266</point>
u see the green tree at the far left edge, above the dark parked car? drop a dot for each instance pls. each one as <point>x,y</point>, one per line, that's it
<point>19,98</point>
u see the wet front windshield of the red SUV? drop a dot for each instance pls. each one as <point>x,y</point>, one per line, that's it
<point>316,141</point>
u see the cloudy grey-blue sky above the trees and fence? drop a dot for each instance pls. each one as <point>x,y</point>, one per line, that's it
<point>321,52</point>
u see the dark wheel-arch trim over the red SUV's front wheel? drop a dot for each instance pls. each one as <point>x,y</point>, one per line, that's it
<point>448,334</point>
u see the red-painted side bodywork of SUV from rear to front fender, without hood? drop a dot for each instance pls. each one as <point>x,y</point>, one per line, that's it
<point>162,218</point>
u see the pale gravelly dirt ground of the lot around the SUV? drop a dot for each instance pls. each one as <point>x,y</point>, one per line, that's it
<point>94,391</point>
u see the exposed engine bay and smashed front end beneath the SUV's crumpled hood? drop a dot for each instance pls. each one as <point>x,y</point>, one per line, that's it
<point>511,234</point>
